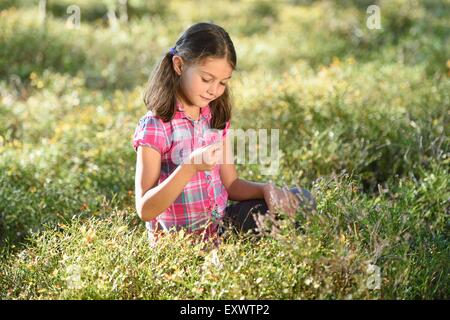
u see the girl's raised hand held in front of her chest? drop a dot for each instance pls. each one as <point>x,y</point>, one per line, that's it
<point>206,157</point>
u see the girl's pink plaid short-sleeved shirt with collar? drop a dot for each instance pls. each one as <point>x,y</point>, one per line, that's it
<point>201,205</point>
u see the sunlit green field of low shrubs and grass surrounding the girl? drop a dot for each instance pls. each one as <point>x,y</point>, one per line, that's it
<point>365,126</point>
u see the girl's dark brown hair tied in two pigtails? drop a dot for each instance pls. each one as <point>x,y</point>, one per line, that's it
<point>199,41</point>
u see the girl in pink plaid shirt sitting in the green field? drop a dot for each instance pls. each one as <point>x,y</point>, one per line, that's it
<point>179,181</point>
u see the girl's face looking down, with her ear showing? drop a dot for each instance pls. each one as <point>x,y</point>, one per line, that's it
<point>204,82</point>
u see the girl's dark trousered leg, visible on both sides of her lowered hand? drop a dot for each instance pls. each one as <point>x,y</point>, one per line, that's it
<point>239,216</point>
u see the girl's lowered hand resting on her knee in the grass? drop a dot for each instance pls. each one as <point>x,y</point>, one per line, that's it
<point>280,199</point>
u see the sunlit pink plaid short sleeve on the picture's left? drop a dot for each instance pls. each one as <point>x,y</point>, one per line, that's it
<point>150,132</point>
